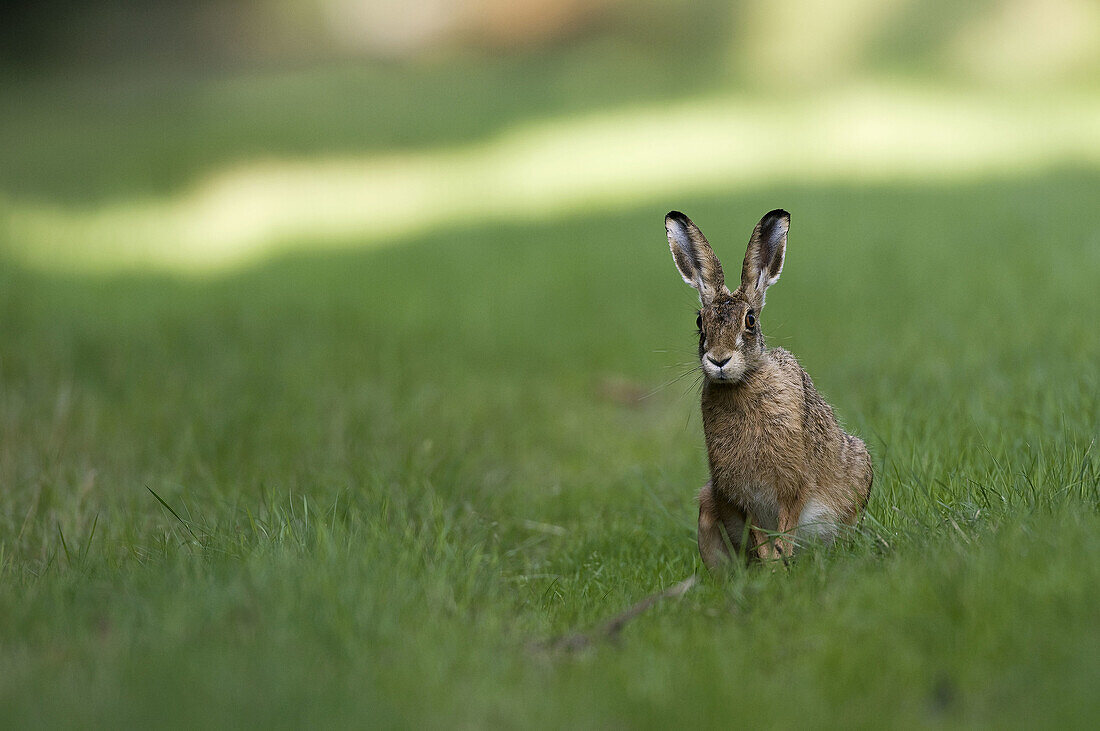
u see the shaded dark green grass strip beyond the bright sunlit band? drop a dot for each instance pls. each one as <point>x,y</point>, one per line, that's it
<point>91,136</point>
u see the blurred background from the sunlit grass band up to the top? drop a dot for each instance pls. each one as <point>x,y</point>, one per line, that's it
<point>205,135</point>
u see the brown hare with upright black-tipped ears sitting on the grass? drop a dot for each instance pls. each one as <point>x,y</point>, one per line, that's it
<point>780,463</point>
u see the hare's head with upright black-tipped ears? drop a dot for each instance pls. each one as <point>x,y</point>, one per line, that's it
<point>731,344</point>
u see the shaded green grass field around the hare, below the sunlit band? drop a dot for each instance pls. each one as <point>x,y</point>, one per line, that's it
<point>360,488</point>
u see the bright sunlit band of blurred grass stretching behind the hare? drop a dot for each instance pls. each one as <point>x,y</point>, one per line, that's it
<point>610,161</point>
